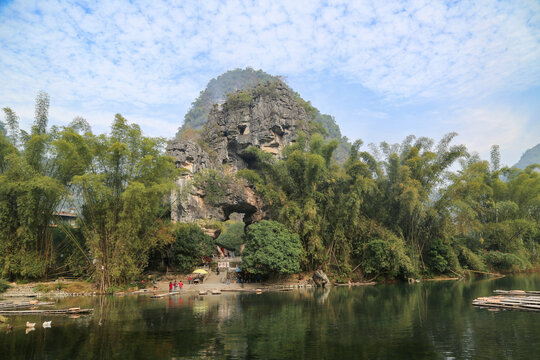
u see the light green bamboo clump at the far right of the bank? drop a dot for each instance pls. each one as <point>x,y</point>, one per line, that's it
<point>496,213</point>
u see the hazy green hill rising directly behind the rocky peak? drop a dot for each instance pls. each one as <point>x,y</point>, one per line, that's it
<point>241,79</point>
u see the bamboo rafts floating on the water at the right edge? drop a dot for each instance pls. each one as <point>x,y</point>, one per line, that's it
<point>511,300</point>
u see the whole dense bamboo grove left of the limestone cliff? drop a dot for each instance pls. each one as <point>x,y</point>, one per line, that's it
<point>116,183</point>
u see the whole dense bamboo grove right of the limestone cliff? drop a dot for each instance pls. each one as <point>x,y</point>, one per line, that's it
<point>397,211</point>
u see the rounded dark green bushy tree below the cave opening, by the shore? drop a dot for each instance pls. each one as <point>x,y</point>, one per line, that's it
<point>271,249</point>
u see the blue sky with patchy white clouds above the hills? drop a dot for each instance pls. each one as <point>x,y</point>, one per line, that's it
<point>383,69</point>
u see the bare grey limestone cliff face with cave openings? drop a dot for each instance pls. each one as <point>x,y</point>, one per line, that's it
<point>268,117</point>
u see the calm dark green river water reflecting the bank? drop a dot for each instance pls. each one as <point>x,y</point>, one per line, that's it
<point>400,321</point>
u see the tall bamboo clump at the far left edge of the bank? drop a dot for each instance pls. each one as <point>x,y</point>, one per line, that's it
<point>32,187</point>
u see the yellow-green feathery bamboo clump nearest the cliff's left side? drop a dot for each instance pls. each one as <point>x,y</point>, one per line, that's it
<point>122,192</point>
